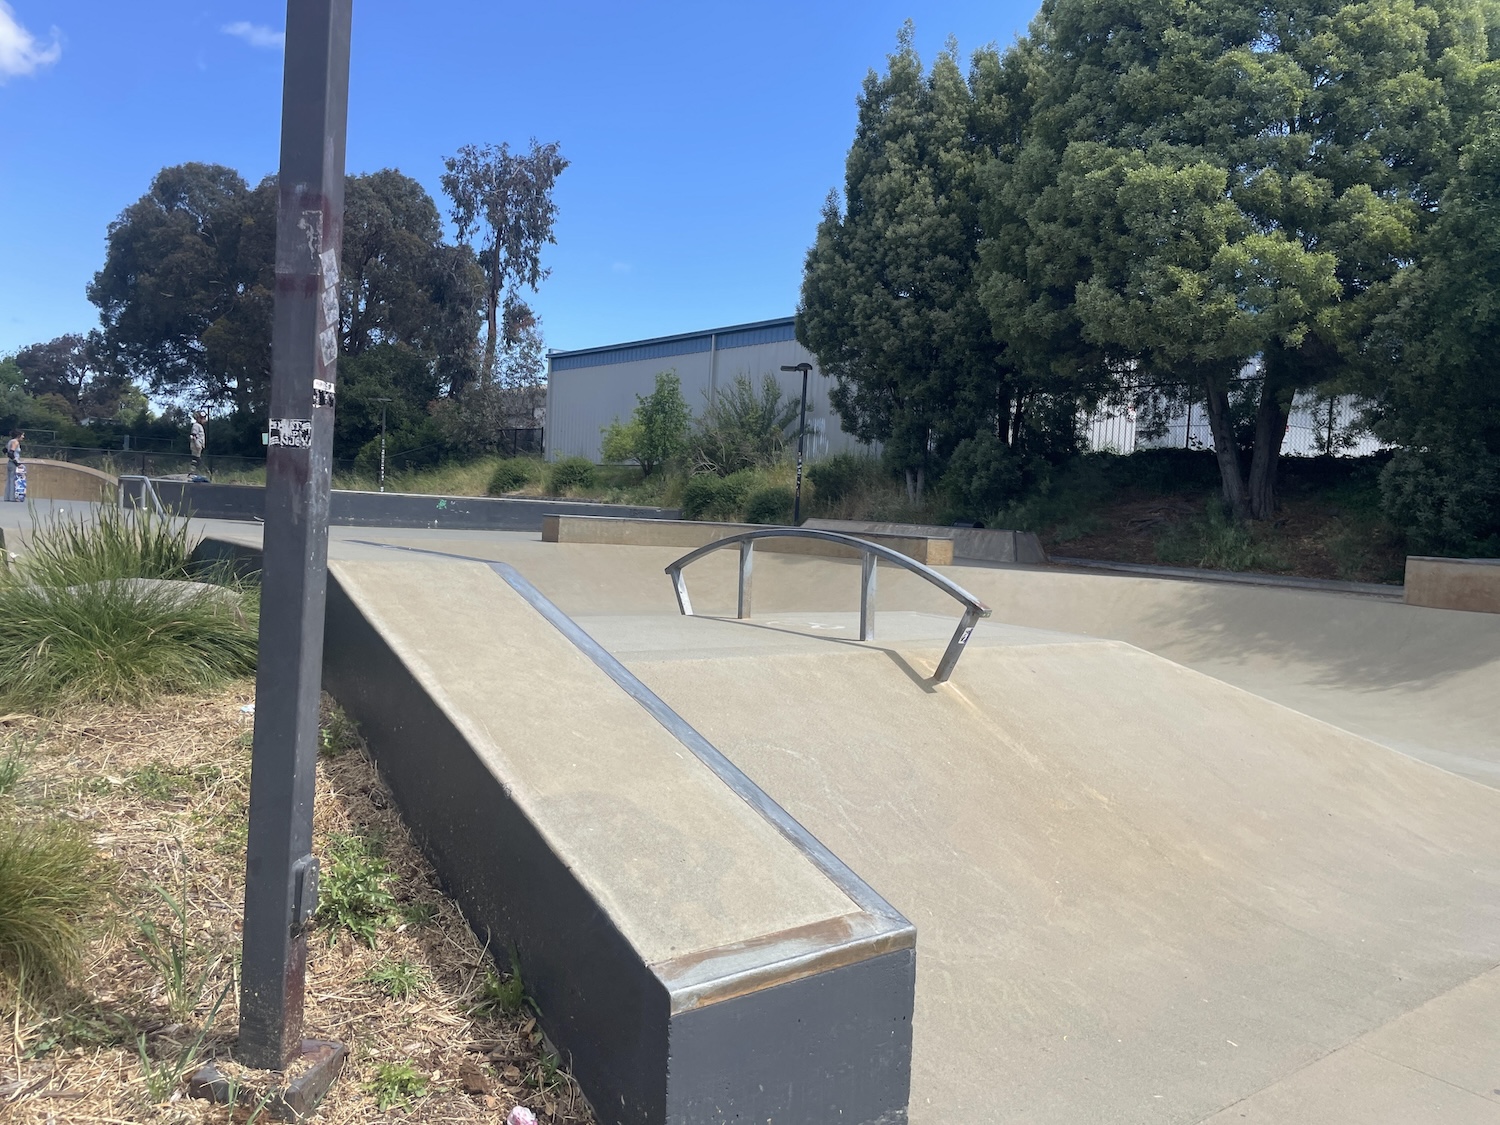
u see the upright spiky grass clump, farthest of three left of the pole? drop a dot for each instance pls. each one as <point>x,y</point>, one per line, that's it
<point>70,553</point>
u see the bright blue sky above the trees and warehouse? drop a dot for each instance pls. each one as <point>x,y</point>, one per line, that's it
<point>703,137</point>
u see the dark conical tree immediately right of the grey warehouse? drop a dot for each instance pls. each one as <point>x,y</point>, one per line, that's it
<point>890,304</point>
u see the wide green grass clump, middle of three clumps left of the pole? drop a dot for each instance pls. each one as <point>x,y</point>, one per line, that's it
<point>125,640</point>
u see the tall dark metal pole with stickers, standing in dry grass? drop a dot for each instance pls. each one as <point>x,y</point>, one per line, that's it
<point>281,875</point>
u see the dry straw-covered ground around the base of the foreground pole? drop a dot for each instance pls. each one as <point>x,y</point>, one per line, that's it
<point>161,790</point>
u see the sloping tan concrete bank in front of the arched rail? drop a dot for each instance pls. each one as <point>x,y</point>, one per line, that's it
<point>1144,895</point>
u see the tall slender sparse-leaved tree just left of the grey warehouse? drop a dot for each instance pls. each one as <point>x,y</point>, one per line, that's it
<point>505,200</point>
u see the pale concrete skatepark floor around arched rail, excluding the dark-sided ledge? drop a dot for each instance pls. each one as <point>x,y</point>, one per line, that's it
<point>1177,853</point>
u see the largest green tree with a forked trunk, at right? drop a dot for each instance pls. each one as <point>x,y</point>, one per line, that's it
<point>1229,184</point>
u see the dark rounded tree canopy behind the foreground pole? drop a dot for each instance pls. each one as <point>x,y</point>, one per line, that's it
<point>185,298</point>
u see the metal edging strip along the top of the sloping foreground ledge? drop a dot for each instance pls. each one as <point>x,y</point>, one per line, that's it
<point>725,971</point>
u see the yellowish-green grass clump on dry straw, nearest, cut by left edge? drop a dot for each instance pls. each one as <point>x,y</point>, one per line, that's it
<point>50,881</point>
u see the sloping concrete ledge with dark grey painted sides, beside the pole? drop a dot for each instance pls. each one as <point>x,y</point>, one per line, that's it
<point>695,955</point>
